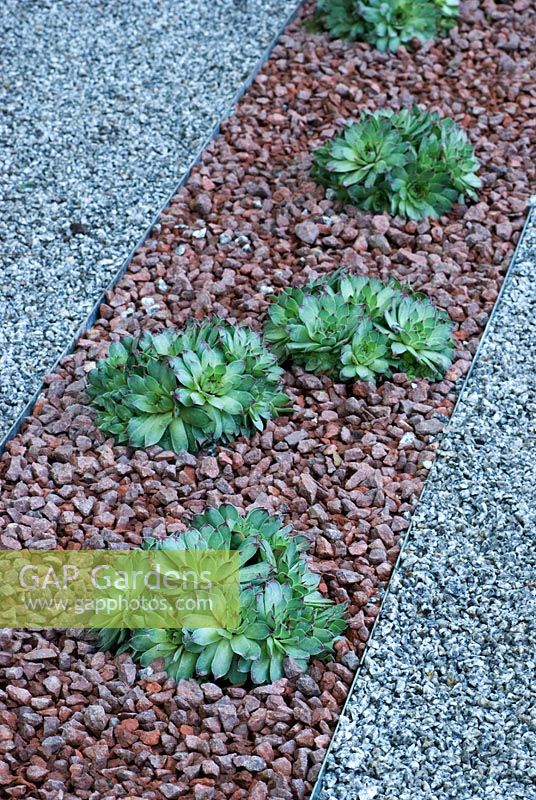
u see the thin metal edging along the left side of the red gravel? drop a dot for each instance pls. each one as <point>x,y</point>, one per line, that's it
<point>92,317</point>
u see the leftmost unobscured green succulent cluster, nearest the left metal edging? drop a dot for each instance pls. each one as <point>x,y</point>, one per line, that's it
<point>183,389</point>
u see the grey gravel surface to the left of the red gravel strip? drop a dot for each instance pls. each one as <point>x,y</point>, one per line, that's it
<point>102,107</point>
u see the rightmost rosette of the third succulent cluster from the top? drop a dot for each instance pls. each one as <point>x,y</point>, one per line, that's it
<point>420,336</point>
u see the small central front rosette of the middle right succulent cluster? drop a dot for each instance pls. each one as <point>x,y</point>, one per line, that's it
<point>368,354</point>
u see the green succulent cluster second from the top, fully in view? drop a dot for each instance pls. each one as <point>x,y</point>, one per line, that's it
<point>411,163</point>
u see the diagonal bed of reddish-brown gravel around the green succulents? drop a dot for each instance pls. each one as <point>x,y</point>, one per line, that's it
<point>346,468</point>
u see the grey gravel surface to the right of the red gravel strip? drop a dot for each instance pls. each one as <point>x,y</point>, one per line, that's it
<point>444,706</point>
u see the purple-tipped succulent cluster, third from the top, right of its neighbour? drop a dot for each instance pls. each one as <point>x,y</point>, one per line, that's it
<point>353,327</point>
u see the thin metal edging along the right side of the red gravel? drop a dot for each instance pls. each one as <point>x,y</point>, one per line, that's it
<point>529,222</point>
